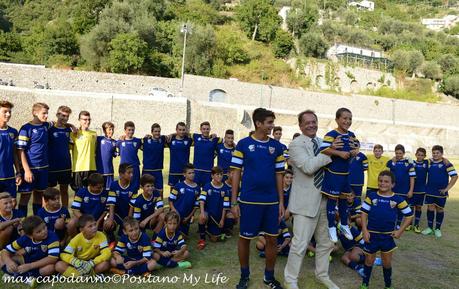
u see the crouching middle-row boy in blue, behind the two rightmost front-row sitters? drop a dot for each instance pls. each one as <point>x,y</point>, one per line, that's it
<point>147,207</point>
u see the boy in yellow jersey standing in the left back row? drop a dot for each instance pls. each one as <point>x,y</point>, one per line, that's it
<point>84,151</point>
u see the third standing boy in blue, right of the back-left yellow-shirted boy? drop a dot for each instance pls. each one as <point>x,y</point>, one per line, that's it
<point>153,155</point>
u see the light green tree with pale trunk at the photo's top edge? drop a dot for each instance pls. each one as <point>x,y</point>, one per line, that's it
<point>258,19</point>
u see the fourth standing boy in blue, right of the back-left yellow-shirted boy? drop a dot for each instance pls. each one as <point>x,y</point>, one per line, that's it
<point>179,146</point>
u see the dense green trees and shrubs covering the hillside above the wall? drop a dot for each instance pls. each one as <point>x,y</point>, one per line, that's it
<point>143,36</point>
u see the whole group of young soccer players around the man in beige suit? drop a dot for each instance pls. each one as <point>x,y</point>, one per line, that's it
<point>123,226</point>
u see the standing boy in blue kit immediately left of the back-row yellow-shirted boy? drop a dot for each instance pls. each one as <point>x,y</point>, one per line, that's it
<point>60,163</point>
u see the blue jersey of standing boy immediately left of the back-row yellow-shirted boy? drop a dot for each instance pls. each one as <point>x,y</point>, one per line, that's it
<point>59,149</point>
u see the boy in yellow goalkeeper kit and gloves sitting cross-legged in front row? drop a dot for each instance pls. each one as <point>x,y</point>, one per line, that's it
<point>87,252</point>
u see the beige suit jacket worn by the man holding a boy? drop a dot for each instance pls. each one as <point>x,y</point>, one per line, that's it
<point>305,197</point>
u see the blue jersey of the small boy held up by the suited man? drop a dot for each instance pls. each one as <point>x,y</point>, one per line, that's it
<point>338,165</point>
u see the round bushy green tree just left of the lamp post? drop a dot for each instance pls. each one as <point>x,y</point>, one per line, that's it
<point>127,52</point>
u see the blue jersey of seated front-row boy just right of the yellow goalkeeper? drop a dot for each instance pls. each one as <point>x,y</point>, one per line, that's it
<point>135,249</point>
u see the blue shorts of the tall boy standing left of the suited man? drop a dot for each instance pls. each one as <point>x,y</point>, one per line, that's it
<point>258,218</point>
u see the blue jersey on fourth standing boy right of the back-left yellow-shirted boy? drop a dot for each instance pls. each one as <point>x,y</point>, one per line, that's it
<point>179,154</point>
